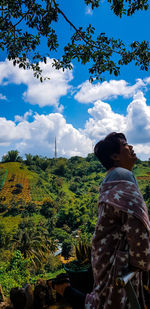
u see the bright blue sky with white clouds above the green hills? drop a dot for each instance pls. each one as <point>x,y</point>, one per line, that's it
<point>67,106</point>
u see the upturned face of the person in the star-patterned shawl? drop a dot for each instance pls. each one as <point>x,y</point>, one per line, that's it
<point>126,158</point>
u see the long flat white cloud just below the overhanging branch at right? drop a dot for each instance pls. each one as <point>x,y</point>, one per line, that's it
<point>89,92</point>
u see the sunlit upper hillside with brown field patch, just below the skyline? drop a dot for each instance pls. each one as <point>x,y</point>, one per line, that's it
<point>48,178</point>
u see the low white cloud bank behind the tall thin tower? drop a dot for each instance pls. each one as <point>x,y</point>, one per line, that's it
<point>38,136</point>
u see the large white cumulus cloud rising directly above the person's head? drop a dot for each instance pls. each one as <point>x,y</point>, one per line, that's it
<point>135,125</point>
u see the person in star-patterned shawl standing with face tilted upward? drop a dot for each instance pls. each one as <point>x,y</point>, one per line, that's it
<point>121,241</point>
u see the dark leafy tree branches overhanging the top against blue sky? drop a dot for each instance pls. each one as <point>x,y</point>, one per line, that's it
<point>24,23</point>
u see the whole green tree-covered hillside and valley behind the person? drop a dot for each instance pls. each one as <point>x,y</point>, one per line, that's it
<point>48,205</point>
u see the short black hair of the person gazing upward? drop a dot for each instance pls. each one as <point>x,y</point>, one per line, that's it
<point>105,148</point>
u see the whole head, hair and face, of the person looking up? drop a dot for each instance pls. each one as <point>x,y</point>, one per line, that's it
<point>113,151</point>
